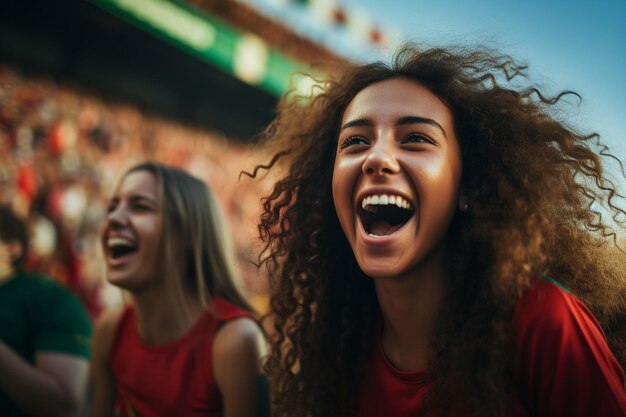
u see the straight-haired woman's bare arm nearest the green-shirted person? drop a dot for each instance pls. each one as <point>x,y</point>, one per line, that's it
<point>103,379</point>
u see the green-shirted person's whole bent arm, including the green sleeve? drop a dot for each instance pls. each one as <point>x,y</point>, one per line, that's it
<point>54,382</point>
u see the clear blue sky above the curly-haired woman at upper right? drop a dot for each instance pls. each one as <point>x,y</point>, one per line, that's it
<point>577,45</point>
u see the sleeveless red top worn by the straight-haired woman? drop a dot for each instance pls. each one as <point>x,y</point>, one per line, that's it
<point>175,379</point>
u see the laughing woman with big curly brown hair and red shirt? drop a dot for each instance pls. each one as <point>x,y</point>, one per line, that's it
<point>436,250</point>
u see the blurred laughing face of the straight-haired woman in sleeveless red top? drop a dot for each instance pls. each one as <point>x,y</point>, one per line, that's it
<point>131,233</point>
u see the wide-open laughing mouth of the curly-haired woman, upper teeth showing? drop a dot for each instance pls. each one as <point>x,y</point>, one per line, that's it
<point>382,215</point>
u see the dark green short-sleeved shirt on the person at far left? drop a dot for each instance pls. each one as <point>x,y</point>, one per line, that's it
<point>39,315</point>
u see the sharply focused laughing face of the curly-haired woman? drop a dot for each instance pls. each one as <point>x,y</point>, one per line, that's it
<point>396,177</point>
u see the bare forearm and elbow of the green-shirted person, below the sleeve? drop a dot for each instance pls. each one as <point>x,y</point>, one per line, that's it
<point>57,381</point>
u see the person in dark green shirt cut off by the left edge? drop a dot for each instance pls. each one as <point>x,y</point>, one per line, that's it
<point>45,335</point>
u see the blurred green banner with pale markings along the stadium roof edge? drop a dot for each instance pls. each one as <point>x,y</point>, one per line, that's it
<point>236,52</point>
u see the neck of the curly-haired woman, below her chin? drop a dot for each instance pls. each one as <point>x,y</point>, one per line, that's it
<point>409,306</point>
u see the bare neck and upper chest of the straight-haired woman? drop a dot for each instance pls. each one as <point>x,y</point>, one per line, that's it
<point>165,319</point>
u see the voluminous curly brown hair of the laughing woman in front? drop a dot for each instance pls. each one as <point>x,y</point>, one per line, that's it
<point>533,183</point>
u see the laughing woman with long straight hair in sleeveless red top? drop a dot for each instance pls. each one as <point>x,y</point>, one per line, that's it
<point>187,344</point>
